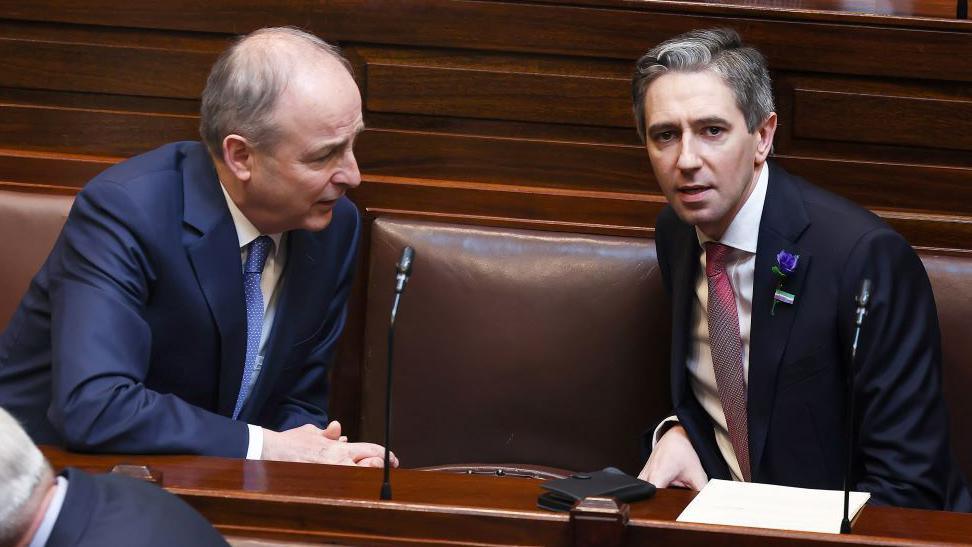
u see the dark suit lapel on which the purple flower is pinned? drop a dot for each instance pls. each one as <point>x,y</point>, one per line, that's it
<point>783,220</point>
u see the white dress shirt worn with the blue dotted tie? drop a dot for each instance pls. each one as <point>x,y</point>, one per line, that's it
<point>270,283</point>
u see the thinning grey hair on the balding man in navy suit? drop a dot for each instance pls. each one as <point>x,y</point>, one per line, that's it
<point>246,82</point>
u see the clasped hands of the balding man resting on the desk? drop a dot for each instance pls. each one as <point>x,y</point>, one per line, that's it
<point>314,445</point>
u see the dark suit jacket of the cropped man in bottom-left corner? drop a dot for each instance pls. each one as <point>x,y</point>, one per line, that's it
<point>101,510</point>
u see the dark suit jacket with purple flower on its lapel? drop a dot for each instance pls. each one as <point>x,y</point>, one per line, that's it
<point>799,358</point>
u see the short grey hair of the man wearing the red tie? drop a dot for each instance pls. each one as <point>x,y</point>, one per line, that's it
<point>719,50</point>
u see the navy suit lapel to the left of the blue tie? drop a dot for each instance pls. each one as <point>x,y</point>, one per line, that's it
<point>213,249</point>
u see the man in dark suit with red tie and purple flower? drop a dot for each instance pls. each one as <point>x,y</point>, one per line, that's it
<point>762,269</point>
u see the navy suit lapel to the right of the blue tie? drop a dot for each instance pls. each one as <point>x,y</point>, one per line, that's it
<point>301,274</point>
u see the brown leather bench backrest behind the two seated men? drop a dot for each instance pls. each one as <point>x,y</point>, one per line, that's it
<point>515,346</point>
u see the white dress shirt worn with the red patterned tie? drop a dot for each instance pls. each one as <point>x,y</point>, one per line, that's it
<point>742,235</point>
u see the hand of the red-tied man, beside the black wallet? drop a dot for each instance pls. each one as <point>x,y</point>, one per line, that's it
<point>673,462</point>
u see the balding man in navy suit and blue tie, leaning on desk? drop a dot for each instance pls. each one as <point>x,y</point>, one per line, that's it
<point>195,295</point>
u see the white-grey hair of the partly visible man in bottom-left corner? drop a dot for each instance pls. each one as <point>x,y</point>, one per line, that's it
<point>22,469</point>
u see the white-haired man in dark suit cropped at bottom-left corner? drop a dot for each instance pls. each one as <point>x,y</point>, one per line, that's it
<point>78,509</point>
